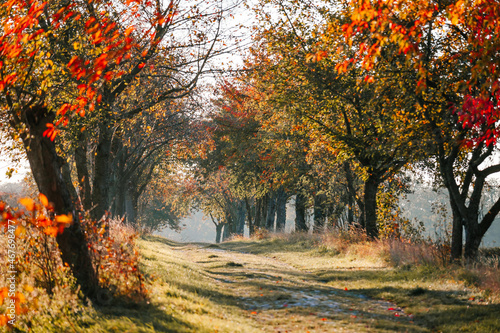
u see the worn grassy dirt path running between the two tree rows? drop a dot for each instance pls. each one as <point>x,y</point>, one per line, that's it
<point>281,298</point>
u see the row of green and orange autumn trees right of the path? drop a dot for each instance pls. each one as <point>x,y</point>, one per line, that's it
<point>339,97</point>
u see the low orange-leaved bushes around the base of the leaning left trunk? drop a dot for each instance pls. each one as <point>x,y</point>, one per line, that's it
<point>40,273</point>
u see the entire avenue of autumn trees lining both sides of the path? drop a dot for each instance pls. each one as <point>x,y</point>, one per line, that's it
<point>336,103</point>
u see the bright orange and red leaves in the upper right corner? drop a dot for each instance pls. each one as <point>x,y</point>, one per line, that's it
<point>471,27</point>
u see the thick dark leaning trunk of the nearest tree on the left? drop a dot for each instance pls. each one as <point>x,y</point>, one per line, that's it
<point>46,168</point>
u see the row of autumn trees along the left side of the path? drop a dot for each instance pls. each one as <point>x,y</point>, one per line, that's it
<point>96,93</point>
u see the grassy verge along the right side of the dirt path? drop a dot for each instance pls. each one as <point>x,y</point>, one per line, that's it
<point>443,298</point>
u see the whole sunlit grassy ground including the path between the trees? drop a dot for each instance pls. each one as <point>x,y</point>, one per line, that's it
<point>288,283</point>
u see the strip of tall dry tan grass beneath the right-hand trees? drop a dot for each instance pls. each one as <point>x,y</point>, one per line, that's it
<point>353,245</point>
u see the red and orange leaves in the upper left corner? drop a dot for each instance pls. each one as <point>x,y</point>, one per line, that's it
<point>31,29</point>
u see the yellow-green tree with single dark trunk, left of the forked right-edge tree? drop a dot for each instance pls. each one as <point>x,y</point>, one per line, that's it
<point>355,114</point>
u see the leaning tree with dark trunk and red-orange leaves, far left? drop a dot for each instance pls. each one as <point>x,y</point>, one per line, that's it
<point>32,74</point>
